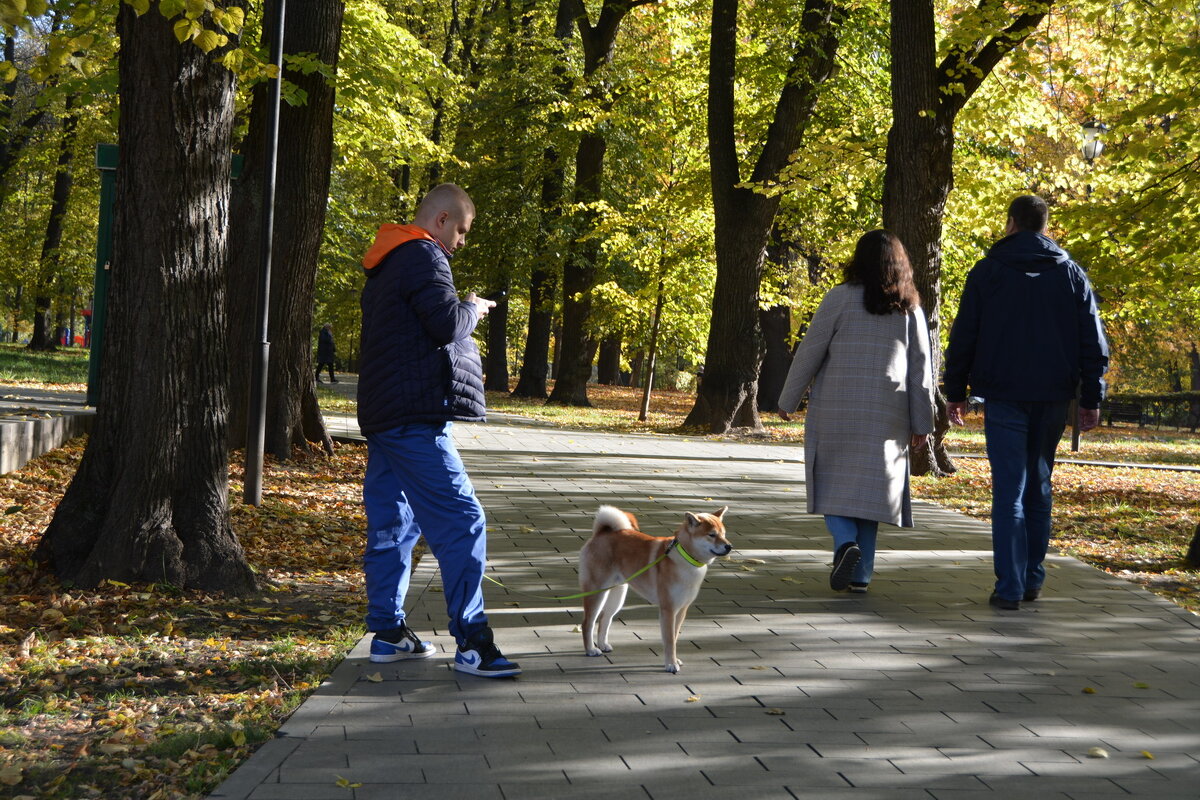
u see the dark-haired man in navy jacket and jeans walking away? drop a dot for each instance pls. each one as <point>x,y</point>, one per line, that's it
<point>1028,339</point>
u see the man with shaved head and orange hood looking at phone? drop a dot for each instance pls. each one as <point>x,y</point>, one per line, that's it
<point>421,371</point>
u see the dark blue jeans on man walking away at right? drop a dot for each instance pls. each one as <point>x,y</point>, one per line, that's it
<point>1022,443</point>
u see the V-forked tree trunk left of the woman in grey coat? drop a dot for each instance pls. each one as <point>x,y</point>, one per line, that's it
<point>728,396</point>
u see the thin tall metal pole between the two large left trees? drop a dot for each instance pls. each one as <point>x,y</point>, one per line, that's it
<point>256,434</point>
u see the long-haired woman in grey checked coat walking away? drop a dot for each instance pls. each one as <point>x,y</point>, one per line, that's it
<point>867,357</point>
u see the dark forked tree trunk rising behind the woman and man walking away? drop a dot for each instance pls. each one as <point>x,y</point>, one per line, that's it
<point>926,100</point>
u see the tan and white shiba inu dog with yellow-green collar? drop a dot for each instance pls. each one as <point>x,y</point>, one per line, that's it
<point>667,572</point>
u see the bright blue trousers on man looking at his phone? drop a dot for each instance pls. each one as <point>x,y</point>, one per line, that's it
<point>416,484</point>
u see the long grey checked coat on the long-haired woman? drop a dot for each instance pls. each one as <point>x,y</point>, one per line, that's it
<point>872,390</point>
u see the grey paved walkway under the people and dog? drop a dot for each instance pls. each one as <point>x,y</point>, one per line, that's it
<point>917,690</point>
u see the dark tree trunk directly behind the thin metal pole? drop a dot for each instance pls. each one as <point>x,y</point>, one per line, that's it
<point>303,175</point>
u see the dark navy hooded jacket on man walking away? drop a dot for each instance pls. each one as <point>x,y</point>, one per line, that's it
<point>1028,328</point>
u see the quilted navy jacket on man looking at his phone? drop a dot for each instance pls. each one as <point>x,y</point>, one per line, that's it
<point>419,363</point>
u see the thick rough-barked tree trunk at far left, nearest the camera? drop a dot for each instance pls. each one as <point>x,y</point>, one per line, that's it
<point>149,502</point>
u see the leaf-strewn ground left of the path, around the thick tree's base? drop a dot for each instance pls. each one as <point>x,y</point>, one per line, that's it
<point>148,691</point>
